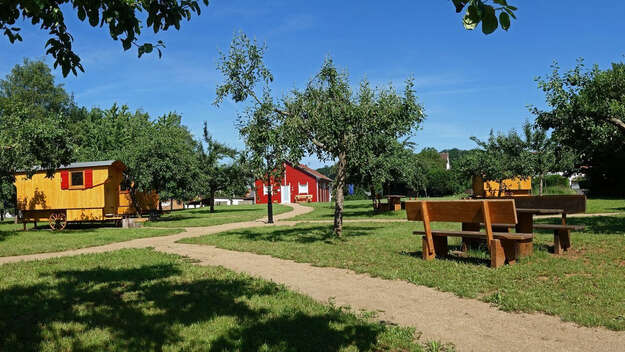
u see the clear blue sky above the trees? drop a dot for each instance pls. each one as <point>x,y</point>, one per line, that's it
<point>467,82</point>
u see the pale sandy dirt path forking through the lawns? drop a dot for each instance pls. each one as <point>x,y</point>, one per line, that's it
<point>470,324</point>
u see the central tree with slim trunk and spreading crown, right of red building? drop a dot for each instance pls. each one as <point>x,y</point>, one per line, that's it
<point>339,122</point>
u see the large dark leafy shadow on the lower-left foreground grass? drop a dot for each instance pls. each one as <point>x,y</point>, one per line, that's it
<point>145,309</point>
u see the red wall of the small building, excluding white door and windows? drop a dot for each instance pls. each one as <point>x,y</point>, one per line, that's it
<point>293,176</point>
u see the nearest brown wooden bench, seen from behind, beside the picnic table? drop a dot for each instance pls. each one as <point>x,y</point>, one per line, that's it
<point>504,247</point>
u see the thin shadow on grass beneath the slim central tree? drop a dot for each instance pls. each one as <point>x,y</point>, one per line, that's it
<point>309,234</point>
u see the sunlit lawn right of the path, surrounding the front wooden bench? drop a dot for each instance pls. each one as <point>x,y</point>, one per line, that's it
<point>586,285</point>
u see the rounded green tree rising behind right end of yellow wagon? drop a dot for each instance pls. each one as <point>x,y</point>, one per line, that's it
<point>160,154</point>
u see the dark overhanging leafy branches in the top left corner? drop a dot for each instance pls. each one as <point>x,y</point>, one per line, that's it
<point>124,20</point>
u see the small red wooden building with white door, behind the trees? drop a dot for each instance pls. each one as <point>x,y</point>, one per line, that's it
<point>299,183</point>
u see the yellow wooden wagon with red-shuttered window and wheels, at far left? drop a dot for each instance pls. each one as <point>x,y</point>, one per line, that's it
<point>84,191</point>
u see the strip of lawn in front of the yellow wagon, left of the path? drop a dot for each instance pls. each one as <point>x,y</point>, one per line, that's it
<point>14,241</point>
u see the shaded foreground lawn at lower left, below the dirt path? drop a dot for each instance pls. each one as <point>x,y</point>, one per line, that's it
<point>141,300</point>
